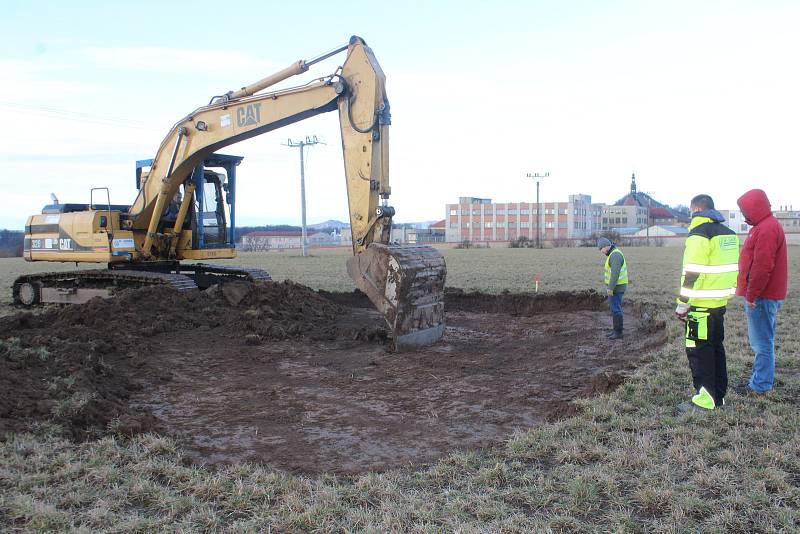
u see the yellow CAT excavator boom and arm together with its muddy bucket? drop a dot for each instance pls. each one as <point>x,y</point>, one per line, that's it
<point>405,283</point>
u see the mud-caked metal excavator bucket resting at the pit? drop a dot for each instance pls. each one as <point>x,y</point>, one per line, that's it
<point>406,284</point>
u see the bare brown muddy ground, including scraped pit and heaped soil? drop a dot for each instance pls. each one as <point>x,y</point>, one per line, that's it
<point>304,381</point>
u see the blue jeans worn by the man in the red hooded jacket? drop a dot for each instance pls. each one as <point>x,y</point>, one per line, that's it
<point>761,322</point>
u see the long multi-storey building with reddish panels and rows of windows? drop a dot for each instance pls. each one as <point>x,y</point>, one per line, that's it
<point>479,219</point>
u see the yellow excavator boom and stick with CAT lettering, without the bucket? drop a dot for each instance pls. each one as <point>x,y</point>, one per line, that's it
<point>358,92</point>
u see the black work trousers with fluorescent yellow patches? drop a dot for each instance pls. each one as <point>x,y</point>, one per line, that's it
<point>707,356</point>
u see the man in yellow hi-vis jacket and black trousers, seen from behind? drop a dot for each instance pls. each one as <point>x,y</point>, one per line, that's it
<point>708,281</point>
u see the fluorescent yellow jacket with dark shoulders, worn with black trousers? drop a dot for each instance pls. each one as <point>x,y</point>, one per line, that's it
<point>710,264</point>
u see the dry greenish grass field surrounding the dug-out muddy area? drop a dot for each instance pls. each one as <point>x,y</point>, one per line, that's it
<point>626,463</point>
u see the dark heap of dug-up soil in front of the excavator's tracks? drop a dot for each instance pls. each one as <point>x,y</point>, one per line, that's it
<point>75,366</point>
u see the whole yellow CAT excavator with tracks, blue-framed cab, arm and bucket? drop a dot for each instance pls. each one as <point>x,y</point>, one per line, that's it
<point>185,209</point>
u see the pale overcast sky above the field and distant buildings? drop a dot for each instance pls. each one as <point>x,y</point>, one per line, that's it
<point>695,97</point>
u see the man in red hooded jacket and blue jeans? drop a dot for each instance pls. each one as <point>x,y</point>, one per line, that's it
<point>762,282</point>
